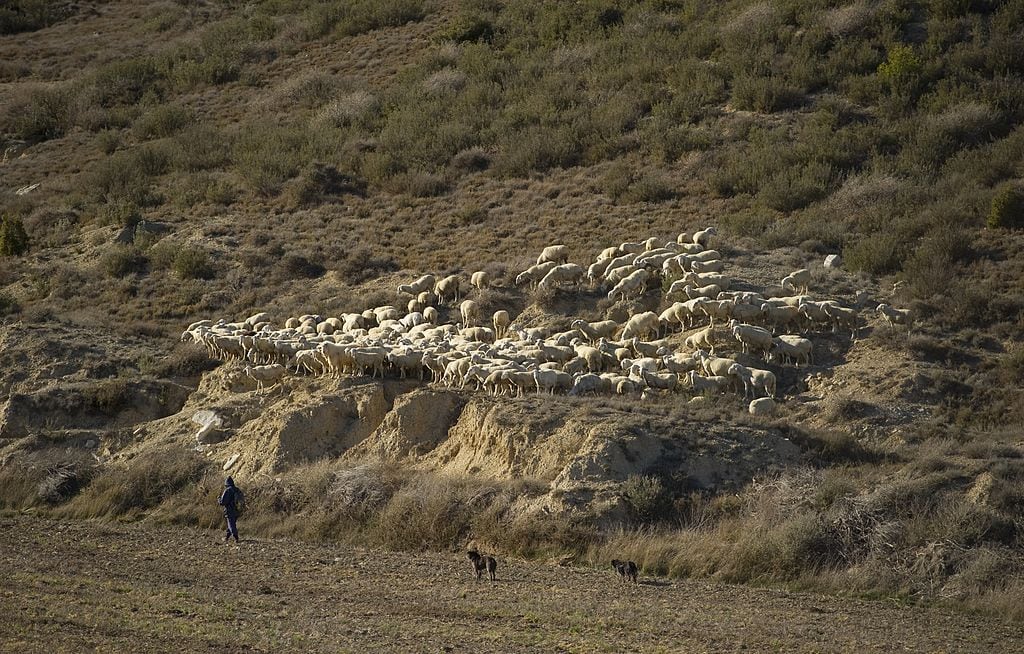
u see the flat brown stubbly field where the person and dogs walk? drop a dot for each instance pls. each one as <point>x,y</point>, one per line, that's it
<point>88,587</point>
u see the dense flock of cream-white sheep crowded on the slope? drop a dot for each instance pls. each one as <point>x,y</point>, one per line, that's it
<point>604,357</point>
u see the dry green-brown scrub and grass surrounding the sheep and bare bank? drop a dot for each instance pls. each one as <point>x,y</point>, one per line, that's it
<point>291,155</point>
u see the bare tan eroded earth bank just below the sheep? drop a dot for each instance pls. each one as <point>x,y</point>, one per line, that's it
<point>582,450</point>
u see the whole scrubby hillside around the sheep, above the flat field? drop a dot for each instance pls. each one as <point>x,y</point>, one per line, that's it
<point>291,158</point>
